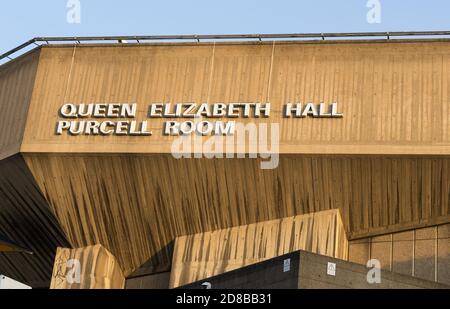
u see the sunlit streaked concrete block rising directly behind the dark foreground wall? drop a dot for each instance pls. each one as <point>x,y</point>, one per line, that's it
<point>213,253</point>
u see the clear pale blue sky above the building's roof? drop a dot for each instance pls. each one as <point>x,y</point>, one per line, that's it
<point>21,20</point>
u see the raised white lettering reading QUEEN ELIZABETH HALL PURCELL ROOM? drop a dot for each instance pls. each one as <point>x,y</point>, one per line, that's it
<point>120,119</point>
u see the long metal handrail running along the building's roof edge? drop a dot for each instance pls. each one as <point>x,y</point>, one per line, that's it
<point>198,38</point>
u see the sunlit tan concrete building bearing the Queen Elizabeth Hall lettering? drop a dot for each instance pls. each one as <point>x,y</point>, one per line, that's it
<point>352,136</point>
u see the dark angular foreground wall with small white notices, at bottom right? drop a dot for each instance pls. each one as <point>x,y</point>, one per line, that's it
<point>309,270</point>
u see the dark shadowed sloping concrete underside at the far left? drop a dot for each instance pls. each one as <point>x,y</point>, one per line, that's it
<point>26,219</point>
